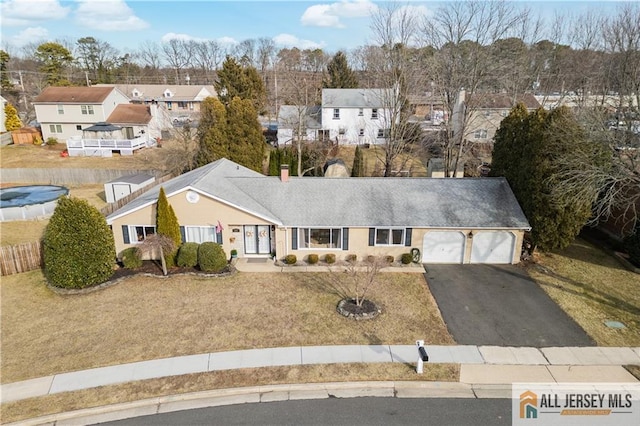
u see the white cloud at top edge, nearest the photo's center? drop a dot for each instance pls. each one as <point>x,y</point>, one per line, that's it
<point>328,15</point>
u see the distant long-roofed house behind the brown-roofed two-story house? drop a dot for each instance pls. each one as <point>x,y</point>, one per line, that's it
<point>179,100</point>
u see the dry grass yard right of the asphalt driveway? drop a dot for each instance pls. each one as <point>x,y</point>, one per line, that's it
<point>593,287</point>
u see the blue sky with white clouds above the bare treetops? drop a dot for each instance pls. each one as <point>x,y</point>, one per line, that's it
<point>126,24</point>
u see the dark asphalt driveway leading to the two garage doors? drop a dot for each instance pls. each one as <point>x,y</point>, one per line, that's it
<point>500,305</point>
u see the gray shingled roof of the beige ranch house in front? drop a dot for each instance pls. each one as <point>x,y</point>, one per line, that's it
<point>354,202</point>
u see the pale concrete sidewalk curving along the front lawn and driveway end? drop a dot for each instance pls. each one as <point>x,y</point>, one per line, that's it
<point>480,365</point>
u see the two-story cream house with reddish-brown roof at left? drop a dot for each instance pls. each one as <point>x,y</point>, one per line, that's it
<point>64,112</point>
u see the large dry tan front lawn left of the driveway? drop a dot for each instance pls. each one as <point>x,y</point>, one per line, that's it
<point>146,317</point>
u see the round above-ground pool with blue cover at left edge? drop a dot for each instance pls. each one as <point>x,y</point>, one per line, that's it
<point>29,202</point>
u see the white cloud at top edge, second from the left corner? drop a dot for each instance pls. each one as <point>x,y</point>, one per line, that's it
<point>108,15</point>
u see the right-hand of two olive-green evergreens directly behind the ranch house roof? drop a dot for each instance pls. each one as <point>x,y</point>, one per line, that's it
<point>245,134</point>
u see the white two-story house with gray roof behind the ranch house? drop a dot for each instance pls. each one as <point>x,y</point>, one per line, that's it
<point>357,116</point>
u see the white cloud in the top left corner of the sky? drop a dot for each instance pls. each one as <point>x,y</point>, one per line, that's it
<point>16,13</point>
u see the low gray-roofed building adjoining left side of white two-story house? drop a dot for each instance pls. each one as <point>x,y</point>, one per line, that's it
<point>294,120</point>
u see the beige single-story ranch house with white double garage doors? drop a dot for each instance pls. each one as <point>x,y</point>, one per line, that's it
<point>473,220</point>
